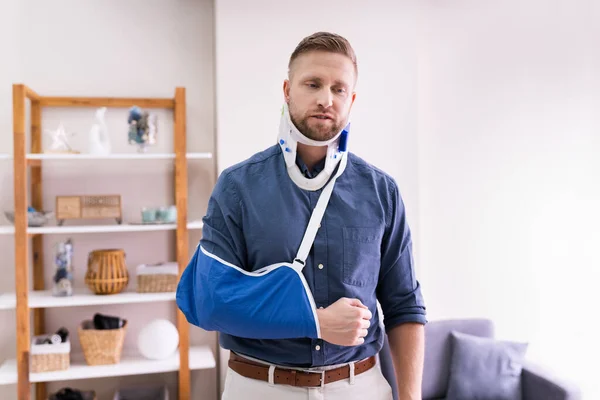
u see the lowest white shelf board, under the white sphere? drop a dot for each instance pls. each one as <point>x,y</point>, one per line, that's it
<point>201,357</point>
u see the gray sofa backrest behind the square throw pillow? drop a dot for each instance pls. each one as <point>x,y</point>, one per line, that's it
<point>438,351</point>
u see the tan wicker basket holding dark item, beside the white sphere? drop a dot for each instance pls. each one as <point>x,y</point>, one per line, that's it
<point>101,346</point>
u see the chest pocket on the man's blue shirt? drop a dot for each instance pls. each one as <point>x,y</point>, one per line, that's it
<point>362,255</point>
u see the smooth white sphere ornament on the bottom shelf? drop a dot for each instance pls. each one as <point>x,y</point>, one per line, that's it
<point>158,340</point>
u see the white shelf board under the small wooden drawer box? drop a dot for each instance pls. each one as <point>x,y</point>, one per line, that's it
<point>124,227</point>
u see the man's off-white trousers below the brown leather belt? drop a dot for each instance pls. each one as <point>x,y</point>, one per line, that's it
<point>369,385</point>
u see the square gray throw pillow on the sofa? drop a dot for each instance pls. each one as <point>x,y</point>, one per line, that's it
<point>485,368</point>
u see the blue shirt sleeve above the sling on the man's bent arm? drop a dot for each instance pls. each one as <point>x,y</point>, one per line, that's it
<point>222,233</point>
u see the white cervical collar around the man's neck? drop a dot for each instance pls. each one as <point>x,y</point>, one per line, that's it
<point>288,139</point>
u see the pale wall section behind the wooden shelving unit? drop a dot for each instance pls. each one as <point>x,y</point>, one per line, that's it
<point>110,48</point>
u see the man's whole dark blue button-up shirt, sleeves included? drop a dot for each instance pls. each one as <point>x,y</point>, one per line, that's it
<point>257,216</point>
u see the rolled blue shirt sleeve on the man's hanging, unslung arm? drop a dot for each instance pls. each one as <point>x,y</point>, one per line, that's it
<point>398,290</point>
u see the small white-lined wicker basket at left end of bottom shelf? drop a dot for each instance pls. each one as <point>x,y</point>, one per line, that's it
<point>49,357</point>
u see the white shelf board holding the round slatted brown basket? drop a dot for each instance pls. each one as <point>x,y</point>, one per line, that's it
<point>82,297</point>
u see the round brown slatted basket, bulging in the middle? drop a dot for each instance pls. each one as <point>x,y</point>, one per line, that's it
<point>107,272</point>
